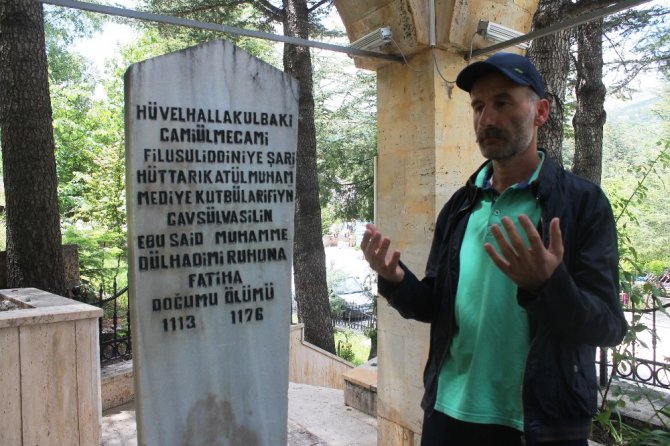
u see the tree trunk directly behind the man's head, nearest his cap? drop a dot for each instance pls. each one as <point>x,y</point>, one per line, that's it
<point>551,56</point>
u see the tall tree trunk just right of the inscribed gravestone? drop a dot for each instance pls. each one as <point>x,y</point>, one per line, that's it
<point>309,258</point>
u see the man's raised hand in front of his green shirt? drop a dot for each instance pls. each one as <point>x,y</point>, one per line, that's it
<point>530,267</point>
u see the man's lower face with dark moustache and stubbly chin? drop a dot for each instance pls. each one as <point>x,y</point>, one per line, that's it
<point>509,144</point>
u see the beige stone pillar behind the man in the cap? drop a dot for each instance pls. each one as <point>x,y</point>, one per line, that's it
<point>427,150</point>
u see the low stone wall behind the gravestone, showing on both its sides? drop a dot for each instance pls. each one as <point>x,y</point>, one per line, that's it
<point>308,364</point>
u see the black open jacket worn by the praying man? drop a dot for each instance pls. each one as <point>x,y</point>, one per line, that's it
<point>577,309</point>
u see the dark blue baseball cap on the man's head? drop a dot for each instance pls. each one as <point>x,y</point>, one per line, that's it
<point>518,69</point>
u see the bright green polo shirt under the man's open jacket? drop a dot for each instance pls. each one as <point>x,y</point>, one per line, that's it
<point>481,378</point>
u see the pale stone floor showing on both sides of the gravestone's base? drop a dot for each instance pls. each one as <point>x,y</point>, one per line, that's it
<point>317,416</point>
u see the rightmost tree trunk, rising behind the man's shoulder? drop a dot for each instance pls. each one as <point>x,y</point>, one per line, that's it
<point>589,117</point>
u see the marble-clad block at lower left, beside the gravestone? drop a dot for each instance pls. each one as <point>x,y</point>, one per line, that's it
<point>49,370</point>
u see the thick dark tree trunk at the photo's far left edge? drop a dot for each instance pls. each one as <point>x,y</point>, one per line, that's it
<point>34,254</point>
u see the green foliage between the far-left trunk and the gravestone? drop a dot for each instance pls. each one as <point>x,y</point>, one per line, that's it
<point>89,152</point>
